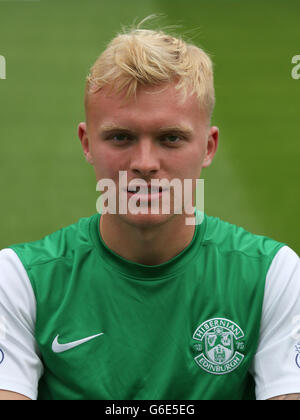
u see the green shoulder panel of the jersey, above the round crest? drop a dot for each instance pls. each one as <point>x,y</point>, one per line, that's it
<point>231,239</point>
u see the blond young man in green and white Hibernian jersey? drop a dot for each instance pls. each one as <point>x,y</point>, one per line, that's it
<point>145,306</point>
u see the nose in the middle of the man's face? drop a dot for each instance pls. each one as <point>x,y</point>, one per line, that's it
<point>145,159</point>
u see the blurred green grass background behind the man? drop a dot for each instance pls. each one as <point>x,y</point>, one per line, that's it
<point>49,46</point>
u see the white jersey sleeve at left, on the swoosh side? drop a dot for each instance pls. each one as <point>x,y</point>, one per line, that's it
<point>20,364</point>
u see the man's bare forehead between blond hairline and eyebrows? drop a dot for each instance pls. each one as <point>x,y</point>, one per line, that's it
<point>151,107</point>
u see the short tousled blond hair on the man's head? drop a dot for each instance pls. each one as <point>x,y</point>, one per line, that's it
<point>143,57</point>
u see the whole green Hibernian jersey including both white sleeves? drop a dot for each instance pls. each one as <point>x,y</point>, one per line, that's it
<point>218,321</point>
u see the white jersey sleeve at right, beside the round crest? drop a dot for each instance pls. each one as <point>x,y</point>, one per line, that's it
<point>276,367</point>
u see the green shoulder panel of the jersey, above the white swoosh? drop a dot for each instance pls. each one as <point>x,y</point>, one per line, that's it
<point>57,245</point>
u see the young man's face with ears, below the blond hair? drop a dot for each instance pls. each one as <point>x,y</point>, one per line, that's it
<point>152,137</point>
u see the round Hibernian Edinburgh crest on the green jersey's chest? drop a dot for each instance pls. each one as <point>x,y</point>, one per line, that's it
<point>218,341</point>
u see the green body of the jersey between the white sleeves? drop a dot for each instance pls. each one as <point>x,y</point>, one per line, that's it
<point>108,328</point>
